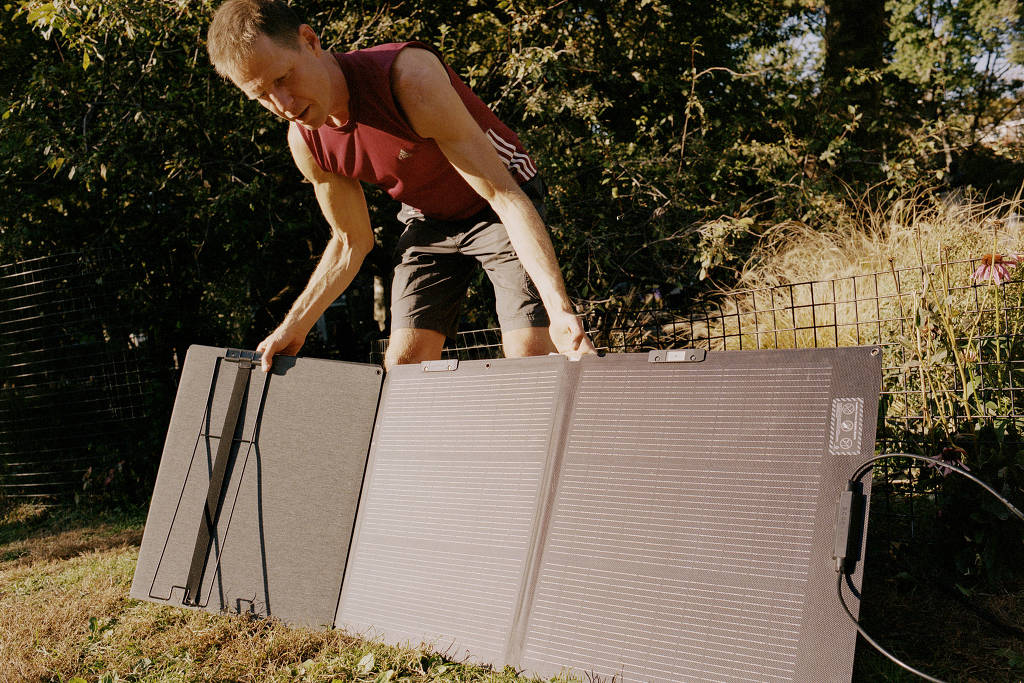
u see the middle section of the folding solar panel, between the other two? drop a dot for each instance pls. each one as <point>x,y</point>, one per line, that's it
<point>449,514</point>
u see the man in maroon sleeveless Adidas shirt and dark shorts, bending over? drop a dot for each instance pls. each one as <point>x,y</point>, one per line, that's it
<point>396,116</point>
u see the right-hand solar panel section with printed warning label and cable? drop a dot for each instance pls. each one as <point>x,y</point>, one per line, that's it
<point>693,526</point>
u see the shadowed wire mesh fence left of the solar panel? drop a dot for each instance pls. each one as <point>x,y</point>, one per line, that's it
<point>73,379</point>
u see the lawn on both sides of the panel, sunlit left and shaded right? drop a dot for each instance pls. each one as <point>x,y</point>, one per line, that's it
<point>65,614</point>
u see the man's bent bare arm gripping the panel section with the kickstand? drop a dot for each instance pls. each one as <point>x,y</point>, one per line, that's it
<point>345,207</point>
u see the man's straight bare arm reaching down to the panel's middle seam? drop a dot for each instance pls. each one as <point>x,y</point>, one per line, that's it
<point>422,89</point>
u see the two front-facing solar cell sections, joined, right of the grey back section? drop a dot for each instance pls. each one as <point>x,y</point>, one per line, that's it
<point>663,518</point>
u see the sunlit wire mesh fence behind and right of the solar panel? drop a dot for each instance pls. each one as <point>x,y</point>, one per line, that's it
<point>952,335</point>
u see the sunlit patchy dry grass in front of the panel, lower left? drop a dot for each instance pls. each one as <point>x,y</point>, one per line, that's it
<point>65,613</point>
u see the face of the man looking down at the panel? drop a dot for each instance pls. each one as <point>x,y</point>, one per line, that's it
<point>290,82</point>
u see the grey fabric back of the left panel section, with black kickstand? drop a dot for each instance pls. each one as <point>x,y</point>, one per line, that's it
<point>290,495</point>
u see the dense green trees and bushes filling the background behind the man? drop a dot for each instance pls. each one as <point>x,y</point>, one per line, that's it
<point>655,124</point>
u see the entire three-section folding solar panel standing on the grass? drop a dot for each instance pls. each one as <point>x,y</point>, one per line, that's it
<point>657,518</point>
